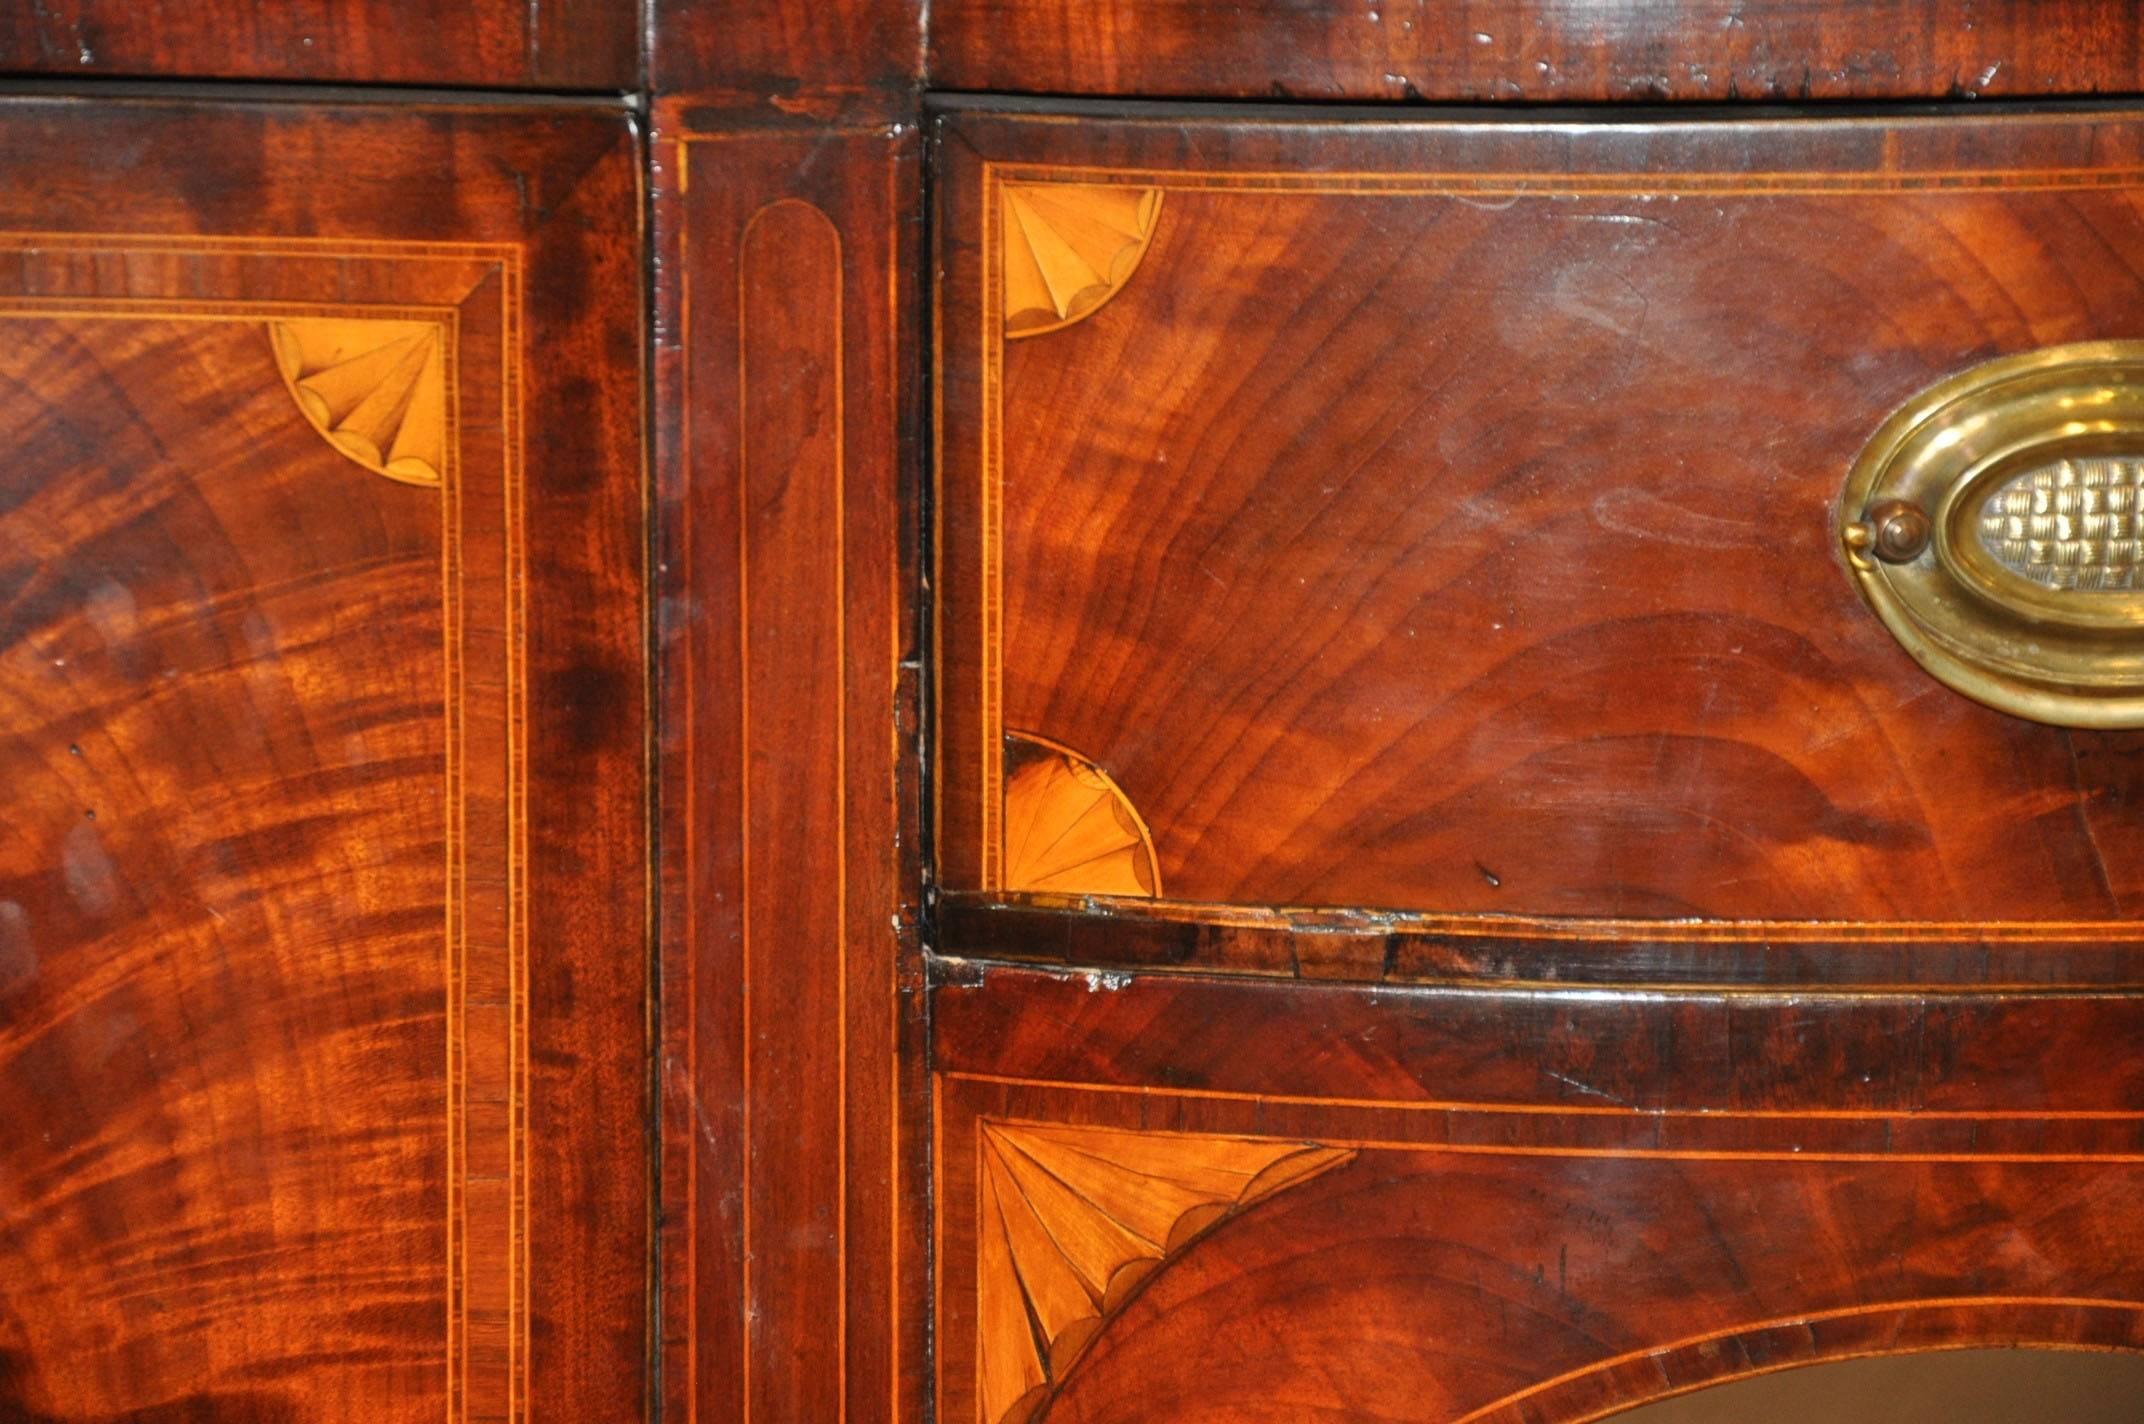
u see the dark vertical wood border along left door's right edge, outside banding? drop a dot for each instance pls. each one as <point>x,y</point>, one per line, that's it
<point>591,790</point>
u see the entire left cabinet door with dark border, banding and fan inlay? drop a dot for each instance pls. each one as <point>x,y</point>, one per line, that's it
<point>323,977</point>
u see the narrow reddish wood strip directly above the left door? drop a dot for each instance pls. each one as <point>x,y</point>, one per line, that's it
<point>483,44</point>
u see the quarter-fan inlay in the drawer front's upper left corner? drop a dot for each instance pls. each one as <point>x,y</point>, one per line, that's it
<point>1069,250</point>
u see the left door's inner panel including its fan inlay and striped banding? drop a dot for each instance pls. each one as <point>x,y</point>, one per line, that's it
<point>245,612</point>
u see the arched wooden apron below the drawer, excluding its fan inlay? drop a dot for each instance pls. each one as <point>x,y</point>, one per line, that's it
<point>1562,1243</point>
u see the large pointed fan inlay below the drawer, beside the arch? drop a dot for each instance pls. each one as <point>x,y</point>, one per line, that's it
<point>1075,1219</point>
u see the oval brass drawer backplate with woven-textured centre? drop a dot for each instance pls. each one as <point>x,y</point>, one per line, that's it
<point>1995,529</point>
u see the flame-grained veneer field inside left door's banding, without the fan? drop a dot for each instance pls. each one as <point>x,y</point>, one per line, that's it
<point>151,891</point>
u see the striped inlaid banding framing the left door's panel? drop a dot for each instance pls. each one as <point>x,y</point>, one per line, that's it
<point>458,271</point>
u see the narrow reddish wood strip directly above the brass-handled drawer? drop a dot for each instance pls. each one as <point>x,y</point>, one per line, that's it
<point>1540,50</point>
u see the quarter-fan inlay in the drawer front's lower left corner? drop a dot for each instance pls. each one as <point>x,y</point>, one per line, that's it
<point>1071,829</point>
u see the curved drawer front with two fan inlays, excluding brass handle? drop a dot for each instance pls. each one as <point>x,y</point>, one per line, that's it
<point>1438,518</point>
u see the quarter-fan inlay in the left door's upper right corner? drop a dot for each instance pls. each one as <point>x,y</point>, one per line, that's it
<point>376,391</point>
